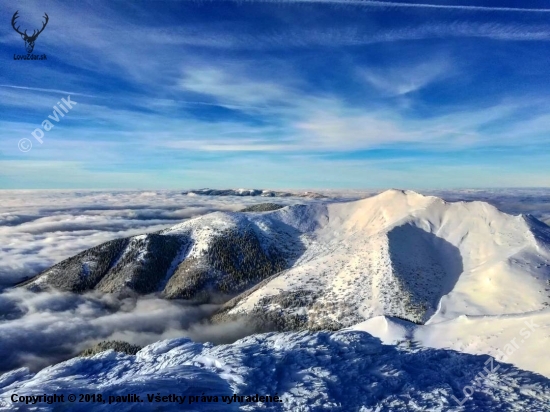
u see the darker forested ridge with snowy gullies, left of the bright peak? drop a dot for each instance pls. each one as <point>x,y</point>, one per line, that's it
<point>200,259</point>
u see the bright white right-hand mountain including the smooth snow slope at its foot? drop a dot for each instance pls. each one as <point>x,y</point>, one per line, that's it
<point>469,275</point>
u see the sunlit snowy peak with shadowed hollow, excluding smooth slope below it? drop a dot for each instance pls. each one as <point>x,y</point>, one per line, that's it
<point>415,257</point>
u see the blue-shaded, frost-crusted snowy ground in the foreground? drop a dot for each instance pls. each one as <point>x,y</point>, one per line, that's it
<point>323,371</point>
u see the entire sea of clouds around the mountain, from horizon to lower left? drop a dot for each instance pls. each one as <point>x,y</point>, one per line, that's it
<point>41,228</point>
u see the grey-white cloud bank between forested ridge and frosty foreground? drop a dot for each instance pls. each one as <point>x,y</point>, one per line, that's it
<point>41,329</point>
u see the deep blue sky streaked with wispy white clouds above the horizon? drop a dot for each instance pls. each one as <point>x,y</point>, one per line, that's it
<point>278,94</point>
